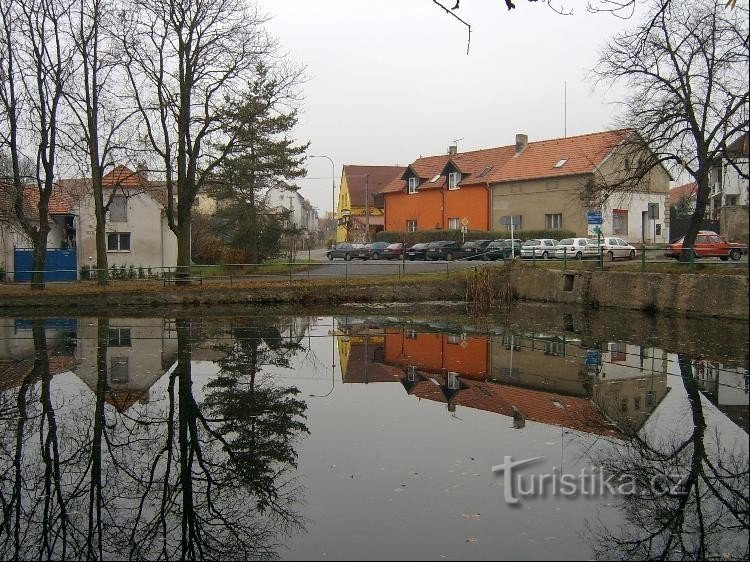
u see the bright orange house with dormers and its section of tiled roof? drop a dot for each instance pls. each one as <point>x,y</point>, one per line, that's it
<point>446,192</point>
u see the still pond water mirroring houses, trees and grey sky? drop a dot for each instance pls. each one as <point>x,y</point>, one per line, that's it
<point>259,435</point>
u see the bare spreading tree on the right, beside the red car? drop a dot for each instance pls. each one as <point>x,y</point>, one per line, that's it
<point>686,67</point>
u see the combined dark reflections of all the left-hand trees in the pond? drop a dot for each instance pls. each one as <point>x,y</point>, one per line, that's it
<point>178,481</point>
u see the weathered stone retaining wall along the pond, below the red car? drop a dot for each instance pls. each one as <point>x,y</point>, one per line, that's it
<point>695,295</point>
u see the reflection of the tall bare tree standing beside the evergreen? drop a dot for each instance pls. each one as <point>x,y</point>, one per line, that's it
<point>196,493</point>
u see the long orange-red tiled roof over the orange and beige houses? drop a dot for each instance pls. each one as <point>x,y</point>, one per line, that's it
<point>582,154</point>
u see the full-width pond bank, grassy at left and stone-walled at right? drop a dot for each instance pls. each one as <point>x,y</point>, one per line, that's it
<point>689,295</point>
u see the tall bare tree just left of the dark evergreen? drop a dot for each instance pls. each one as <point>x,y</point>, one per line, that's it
<point>187,63</point>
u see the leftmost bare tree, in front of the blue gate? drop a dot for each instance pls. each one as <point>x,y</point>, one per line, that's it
<point>35,64</point>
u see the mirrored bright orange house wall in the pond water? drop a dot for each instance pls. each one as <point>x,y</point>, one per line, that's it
<point>435,352</point>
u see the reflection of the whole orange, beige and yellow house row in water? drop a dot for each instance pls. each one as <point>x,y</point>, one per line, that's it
<point>546,378</point>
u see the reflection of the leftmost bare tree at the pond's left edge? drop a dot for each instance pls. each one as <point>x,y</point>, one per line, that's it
<point>35,520</point>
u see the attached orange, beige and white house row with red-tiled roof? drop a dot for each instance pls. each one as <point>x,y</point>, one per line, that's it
<point>534,186</point>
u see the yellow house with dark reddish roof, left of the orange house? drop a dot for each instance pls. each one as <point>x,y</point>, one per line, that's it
<point>360,206</point>
